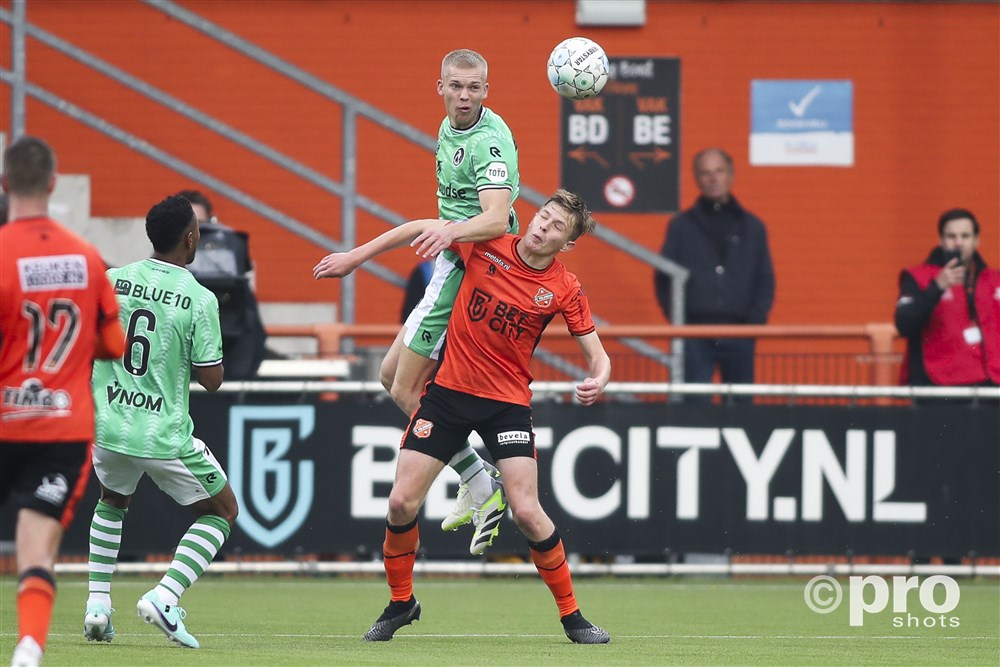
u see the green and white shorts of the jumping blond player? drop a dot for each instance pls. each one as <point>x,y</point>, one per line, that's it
<point>428,322</point>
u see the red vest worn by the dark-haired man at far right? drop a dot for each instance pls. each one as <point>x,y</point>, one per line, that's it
<point>947,357</point>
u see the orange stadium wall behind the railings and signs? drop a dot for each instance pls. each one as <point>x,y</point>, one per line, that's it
<point>926,79</point>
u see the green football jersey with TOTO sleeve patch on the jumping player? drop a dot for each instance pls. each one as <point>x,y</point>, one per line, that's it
<point>482,157</point>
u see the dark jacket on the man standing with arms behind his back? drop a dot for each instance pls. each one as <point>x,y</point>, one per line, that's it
<point>732,276</point>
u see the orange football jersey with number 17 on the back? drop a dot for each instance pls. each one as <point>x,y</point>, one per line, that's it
<point>54,301</point>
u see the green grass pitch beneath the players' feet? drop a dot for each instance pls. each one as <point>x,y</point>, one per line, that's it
<point>264,620</point>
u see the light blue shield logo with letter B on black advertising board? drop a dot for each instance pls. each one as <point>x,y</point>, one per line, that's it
<point>273,488</point>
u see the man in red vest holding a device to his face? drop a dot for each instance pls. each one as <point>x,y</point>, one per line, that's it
<point>949,310</point>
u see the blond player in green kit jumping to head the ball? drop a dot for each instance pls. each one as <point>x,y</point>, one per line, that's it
<point>477,182</point>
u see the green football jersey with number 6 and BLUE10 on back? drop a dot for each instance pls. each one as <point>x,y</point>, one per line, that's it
<point>171,322</point>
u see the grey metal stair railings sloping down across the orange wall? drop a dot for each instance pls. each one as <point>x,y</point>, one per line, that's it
<point>346,189</point>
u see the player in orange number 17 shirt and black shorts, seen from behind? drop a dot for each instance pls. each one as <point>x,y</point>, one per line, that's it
<point>57,314</point>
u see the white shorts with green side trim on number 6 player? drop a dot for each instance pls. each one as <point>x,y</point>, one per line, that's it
<point>193,477</point>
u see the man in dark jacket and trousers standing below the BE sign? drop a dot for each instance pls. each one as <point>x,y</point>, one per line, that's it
<point>725,248</point>
